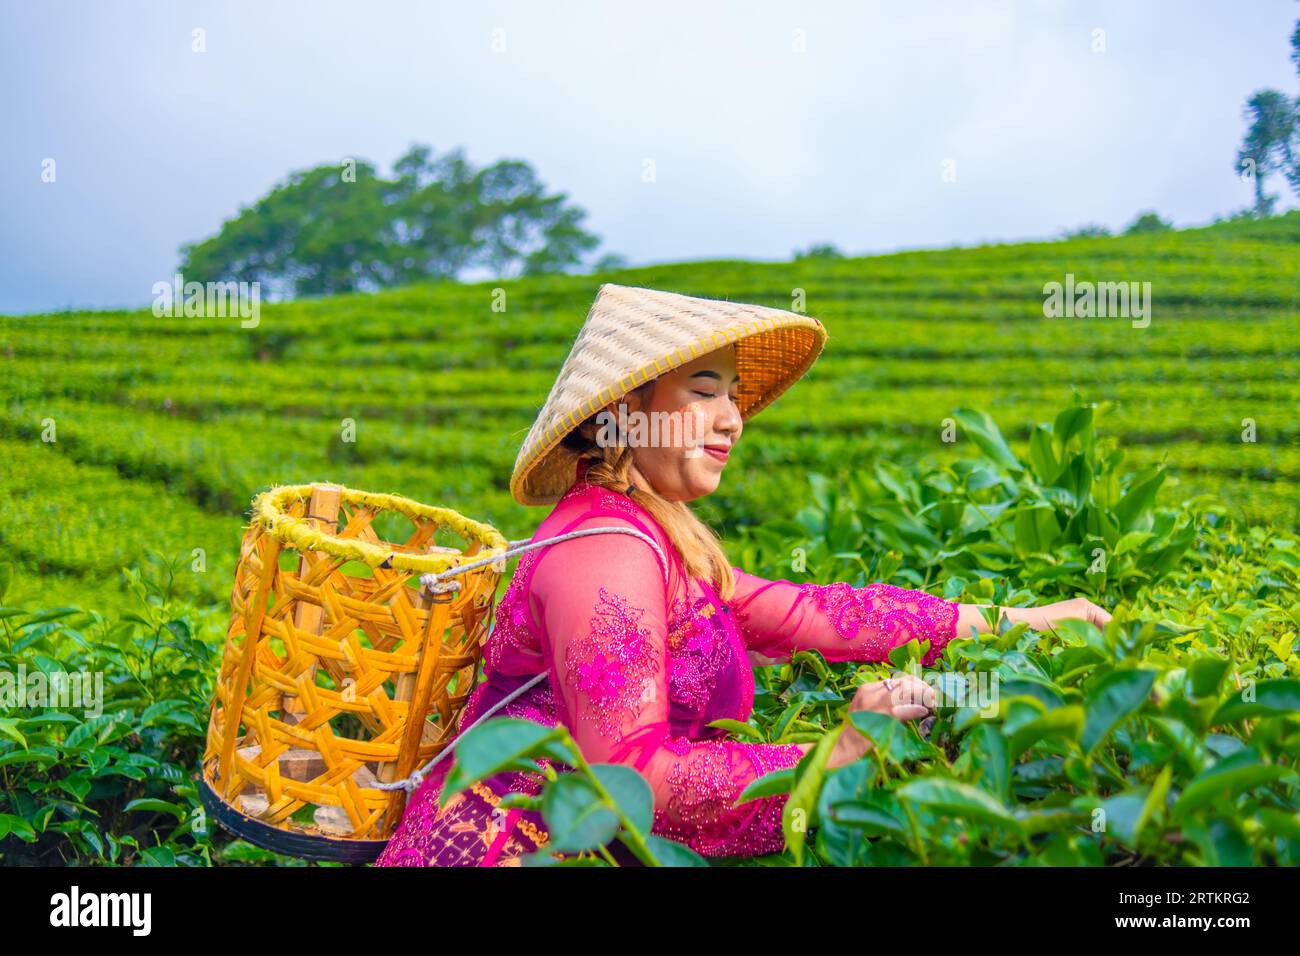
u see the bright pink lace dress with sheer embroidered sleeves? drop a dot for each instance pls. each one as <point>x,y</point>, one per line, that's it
<point>640,663</point>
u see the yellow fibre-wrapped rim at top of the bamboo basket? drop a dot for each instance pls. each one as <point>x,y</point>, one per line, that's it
<point>268,511</point>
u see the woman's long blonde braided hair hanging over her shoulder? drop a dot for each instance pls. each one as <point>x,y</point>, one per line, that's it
<point>696,543</point>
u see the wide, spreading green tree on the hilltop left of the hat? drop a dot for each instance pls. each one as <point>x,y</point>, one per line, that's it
<point>337,230</point>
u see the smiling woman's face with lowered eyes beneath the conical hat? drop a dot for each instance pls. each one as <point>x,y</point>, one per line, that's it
<point>688,427</point>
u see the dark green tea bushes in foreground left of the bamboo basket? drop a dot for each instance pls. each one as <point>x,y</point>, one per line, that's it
<point>107,775</point>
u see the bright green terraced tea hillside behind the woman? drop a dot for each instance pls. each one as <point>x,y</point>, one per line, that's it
<point>166,429</point>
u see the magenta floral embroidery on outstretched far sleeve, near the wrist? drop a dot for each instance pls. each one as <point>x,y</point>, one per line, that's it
<point>890,616</point>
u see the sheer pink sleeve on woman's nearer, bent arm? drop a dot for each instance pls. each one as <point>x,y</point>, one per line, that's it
<point>604,605</point>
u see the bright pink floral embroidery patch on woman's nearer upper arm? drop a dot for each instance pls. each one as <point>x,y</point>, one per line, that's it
<point>614,664</point>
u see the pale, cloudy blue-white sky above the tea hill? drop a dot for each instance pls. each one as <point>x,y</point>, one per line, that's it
<point>770,126</point>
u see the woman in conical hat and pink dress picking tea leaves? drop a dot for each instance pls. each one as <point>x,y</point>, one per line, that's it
<point>642,655</point>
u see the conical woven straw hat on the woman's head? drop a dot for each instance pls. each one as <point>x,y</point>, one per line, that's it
<point>635,335</point>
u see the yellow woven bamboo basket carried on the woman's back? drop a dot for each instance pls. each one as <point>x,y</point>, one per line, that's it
<point>339,672</point>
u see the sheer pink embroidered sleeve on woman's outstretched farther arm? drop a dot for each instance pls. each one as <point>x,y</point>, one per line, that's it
<point>839,621</point>
